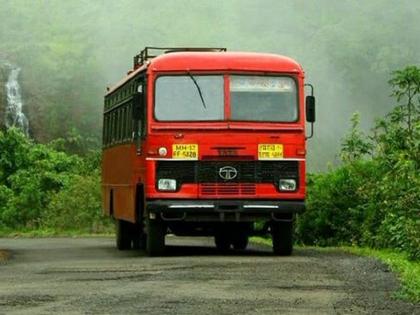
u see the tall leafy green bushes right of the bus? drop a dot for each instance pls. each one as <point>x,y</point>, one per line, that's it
<point>373,198</point>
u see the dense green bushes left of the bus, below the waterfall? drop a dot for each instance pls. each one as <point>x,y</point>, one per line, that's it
<point>46,190</point>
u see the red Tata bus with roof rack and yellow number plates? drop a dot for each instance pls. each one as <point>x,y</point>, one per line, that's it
<point>201,141</point>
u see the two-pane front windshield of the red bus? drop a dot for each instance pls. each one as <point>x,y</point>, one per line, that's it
<point>201,98</point>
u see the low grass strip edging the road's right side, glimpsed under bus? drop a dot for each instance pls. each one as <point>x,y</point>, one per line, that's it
<point>407,271</point>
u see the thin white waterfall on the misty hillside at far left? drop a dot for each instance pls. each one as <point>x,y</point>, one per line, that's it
<point>14,117</point>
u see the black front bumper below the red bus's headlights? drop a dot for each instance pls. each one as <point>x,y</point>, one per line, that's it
<point>222,209</point>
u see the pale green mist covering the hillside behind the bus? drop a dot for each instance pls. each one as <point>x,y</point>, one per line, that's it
<point>69,51</point>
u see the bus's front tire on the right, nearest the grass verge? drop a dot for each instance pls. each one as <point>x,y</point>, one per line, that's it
<point>282,235</point>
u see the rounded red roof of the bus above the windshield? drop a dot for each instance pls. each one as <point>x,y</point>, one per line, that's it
<point>215,61</point>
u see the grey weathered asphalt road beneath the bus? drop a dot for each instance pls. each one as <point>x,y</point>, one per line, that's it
<point>89,276</point>
